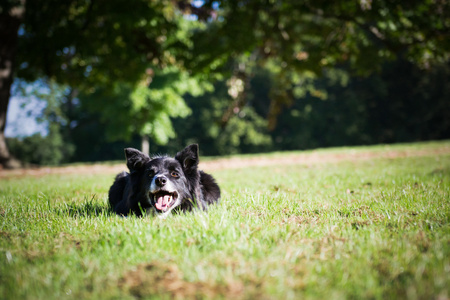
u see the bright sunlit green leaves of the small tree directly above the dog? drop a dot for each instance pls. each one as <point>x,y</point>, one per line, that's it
<point>145,109</point>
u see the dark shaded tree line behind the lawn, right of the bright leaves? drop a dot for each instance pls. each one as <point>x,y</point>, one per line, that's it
<point>401,103</point>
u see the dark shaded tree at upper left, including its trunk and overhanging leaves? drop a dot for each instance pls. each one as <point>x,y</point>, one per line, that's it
<point>84,44</point>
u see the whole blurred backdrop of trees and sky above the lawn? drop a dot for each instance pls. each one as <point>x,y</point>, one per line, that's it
<point>82,79</point>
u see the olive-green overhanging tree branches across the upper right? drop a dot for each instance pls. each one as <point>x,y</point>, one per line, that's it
<point>298,39</point>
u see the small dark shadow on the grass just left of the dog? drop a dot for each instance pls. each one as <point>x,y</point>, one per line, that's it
<point>88,208</point>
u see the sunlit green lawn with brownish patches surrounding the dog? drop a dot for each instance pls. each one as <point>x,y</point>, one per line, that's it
<point>372,229</point>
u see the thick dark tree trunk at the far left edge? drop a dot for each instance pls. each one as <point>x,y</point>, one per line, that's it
<point>9,26</point>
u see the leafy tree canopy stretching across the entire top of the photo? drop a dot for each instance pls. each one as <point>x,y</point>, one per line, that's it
<point>132,64</point>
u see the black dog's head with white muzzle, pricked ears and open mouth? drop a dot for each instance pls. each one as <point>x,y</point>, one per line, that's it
<point>165,181</point>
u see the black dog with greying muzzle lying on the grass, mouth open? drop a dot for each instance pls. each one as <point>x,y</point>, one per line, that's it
<point>162,184</point>
